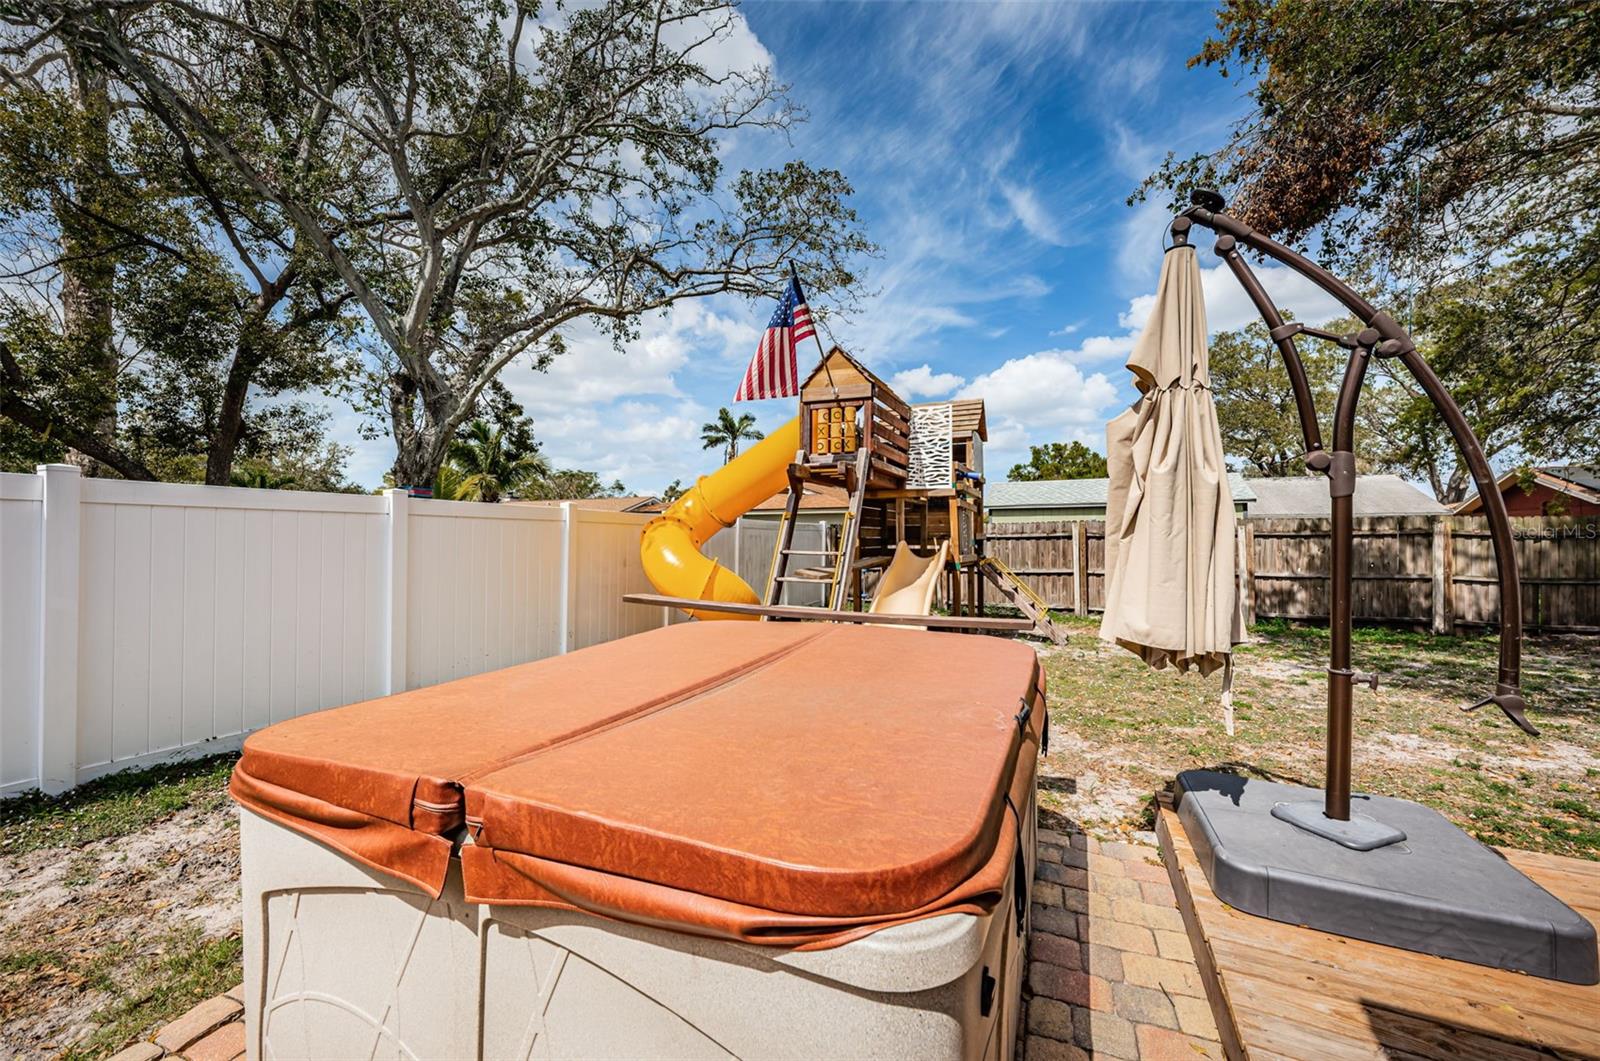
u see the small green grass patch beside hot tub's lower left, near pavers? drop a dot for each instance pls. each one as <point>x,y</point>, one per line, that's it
<point>185,969</point>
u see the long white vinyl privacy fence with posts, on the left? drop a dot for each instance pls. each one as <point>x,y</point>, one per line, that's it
<point>153,622</point>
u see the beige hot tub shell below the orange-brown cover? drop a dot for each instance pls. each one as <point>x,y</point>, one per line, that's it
<point>348,963</point>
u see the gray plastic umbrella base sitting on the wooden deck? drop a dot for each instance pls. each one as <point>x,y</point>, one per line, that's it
<point>1438,892</point>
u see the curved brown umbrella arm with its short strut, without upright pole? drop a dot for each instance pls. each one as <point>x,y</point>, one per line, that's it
<point>1393,342</point>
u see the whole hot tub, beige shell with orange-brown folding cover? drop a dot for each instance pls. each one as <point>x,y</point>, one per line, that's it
<point>702,843</point>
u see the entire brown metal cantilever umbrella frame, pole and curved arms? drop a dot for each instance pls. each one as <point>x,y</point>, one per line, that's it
<point>1385,338</point>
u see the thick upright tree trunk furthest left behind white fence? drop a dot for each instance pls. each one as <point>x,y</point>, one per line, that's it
<point>89,268</point>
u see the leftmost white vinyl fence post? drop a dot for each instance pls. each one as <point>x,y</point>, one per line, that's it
<point>58,628</point>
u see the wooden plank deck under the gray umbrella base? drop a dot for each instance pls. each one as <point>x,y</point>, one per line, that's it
<point>1282,991</point>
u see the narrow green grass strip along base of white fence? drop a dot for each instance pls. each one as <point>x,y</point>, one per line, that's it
<point>113,807</point>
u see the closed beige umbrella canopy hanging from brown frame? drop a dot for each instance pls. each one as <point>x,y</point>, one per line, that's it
<point>1170,569</point>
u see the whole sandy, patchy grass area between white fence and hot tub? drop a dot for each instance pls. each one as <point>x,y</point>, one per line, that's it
<point>119,911</point>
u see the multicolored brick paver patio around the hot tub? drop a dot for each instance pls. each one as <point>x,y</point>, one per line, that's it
<point>1111,974</point>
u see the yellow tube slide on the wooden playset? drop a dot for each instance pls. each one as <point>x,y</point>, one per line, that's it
<point>671,547</point>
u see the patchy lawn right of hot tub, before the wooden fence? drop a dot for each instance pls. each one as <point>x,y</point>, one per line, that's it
<point>1124,731</point>
